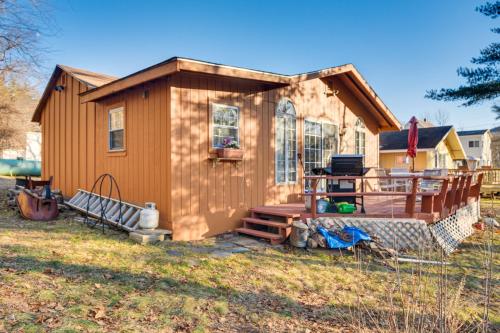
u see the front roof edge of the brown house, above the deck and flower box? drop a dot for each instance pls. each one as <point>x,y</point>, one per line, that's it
<point>177,64</point>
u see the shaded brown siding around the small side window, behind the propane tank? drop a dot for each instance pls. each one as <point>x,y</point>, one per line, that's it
<point>141,169</point>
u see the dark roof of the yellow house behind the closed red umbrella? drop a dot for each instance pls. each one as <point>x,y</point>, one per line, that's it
<point>428,138</point>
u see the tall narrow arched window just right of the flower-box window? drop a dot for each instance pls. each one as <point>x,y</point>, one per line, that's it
<point>286,142</point>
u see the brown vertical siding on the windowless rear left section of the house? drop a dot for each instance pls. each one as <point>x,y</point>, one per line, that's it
<point>68,137</point>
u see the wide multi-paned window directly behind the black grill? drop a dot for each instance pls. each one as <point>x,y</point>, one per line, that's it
<point>320,143</point>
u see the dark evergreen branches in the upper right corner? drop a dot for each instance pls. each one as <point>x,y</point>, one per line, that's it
<point>482,81</point>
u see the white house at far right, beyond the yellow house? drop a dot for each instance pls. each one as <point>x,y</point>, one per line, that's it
<point>477,146</point>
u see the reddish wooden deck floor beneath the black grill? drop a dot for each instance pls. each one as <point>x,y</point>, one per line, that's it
<point>377,207</point>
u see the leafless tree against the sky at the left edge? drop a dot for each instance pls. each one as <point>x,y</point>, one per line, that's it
<point>23,23</point>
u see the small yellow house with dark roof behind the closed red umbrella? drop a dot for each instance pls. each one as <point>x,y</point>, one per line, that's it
<point>438,147</point>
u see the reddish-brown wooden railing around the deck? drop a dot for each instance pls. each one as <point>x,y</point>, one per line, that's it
<point>453,193</point>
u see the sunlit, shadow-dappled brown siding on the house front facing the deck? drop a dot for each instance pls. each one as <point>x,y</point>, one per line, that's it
<point>208,200</point>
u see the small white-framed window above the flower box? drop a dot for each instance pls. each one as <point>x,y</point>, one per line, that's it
<point>225,124</point>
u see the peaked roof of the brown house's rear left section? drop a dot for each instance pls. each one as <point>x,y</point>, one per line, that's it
<point>91,79</point>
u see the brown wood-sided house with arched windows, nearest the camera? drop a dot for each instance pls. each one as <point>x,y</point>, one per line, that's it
<point>157,131</point>
